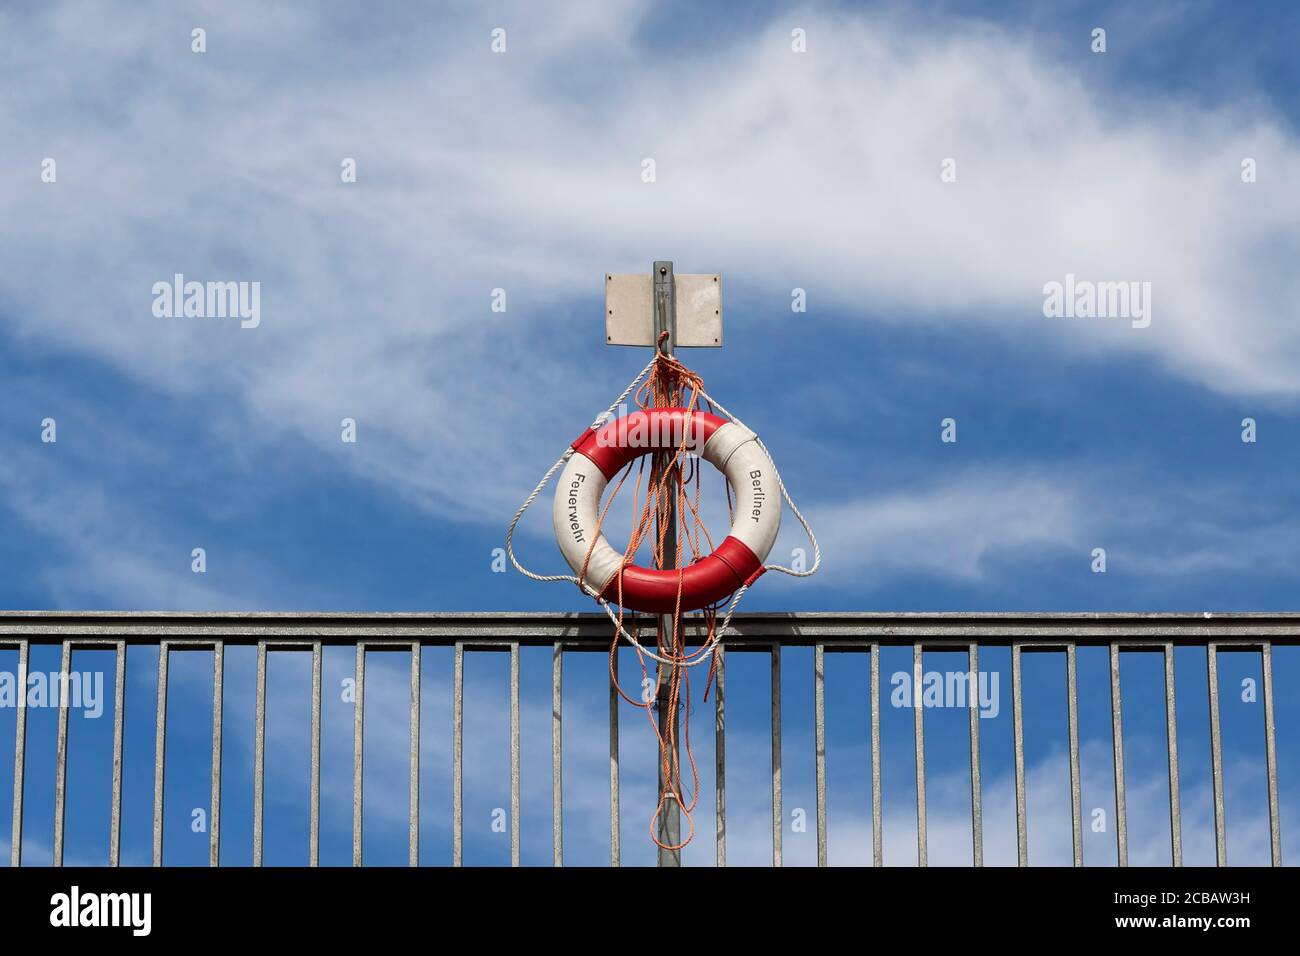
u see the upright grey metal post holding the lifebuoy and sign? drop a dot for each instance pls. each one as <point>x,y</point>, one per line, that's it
<point>666,321</point>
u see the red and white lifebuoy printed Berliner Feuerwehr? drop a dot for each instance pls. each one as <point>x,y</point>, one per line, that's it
<point>599,456</point>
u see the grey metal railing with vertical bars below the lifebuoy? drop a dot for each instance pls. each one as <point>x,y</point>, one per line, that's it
<point>475,633</point>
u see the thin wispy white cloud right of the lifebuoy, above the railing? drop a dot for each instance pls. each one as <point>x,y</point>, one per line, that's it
<point>973,524</point>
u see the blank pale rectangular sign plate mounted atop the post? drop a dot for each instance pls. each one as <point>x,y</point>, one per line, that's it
<point>630,310</point>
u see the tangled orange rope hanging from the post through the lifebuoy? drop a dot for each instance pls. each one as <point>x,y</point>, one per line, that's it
<point>670,384</point>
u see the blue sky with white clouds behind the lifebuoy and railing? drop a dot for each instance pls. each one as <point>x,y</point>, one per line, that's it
<point>818,171</point>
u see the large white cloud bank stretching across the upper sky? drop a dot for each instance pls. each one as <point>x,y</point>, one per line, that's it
<point>522,171</point>
